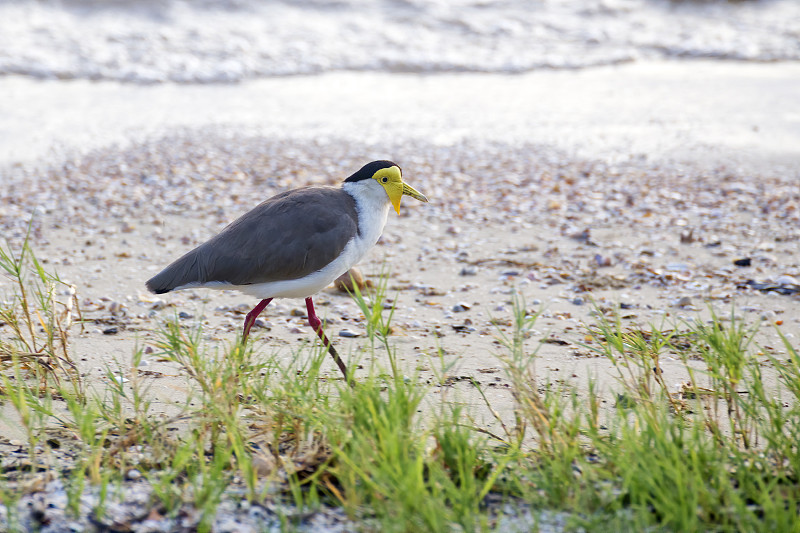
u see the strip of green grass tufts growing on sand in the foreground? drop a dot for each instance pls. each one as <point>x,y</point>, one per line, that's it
<point>719,454</point>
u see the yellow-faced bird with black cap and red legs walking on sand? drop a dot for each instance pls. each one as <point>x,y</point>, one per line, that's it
<point>294,244</point>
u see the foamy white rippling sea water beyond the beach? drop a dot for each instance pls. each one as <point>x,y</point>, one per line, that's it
<point>209,41</point>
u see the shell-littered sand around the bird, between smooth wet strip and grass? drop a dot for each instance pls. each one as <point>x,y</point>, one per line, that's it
<point>504,218</point>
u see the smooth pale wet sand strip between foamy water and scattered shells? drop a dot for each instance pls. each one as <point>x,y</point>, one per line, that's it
<point>681,111</point>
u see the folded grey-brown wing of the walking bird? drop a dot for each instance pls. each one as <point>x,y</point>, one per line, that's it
<point>287,237</point>
